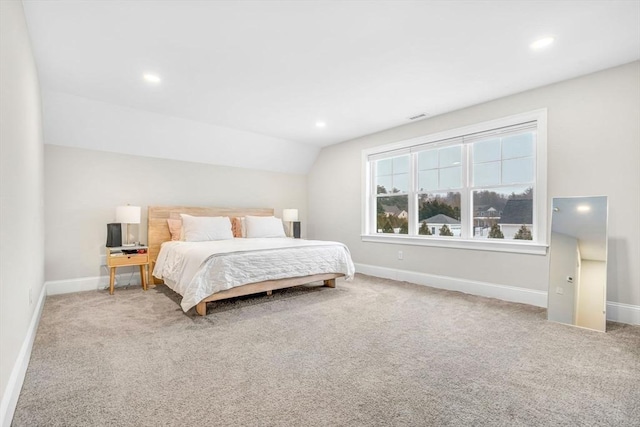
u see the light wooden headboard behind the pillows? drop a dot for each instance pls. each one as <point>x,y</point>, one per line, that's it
<point>158,229</point>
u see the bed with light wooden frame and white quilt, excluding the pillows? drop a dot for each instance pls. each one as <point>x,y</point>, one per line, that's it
<point>208,271</point>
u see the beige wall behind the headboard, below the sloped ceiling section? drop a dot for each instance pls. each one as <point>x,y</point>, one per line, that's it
<point>83,188</point>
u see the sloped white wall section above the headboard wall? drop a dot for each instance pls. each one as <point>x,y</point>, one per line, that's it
<point>83,123</point>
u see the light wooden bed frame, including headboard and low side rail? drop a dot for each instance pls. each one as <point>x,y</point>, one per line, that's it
<point>158,232</point>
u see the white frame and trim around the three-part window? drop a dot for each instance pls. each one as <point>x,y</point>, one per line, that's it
<point>540,242</point>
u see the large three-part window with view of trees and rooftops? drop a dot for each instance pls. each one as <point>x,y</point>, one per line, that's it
<point>483,187</point>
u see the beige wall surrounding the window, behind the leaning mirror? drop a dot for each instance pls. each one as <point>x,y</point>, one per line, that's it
<point>593,149</point>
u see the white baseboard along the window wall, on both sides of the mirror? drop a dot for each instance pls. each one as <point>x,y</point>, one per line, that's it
<point>617,312</point>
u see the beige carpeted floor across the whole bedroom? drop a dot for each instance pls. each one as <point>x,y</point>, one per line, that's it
<point>372,352</point>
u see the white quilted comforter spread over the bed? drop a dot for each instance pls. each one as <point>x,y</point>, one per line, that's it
<point>196,270</point>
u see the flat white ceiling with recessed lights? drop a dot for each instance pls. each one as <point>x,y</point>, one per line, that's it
<point>274,68</point>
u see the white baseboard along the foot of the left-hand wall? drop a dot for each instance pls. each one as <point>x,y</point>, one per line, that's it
<point>16,378</point>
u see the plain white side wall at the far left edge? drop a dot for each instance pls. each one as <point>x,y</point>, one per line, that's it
<point>21,200</point>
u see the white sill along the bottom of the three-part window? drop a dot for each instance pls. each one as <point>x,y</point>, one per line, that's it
<point>456,243</point>
